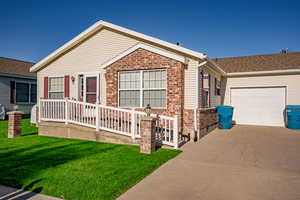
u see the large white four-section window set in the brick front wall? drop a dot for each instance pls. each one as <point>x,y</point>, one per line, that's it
<point>140,88</point>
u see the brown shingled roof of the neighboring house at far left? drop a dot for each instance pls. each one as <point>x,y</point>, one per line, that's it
<point>13,67</point>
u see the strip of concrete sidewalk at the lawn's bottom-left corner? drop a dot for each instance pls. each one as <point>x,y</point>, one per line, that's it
<point>9,193</point>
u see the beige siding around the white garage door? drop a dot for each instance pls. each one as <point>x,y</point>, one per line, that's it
<point>290,81</point>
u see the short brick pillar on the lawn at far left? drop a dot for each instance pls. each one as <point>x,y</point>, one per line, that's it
<point>14,123</point>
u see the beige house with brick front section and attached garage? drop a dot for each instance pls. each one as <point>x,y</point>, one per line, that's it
<point>118,67</point>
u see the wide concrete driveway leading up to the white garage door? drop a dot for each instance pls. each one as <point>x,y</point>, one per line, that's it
<point>246,162</point>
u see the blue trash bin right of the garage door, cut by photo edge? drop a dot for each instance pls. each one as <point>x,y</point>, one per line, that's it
<point>293,116</point>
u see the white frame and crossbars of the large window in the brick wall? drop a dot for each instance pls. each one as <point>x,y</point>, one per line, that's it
<point>141,89</point>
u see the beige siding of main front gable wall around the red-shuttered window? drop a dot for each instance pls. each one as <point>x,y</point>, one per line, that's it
<point>87,57</point>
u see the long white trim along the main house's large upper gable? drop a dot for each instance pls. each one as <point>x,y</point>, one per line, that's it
<point>98,25</point>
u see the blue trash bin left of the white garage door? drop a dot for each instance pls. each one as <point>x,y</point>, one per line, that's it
<point>225,116</point>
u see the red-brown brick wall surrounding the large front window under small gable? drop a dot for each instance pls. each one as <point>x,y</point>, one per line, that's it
<point>142,59</point>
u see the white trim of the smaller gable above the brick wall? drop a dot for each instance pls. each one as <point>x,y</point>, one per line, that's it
<point>146,47</point>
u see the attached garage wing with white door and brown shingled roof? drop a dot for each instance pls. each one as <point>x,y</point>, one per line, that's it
<point>259,87</point>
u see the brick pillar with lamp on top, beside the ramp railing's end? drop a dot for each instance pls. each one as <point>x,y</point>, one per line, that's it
<point>147,134</point>
